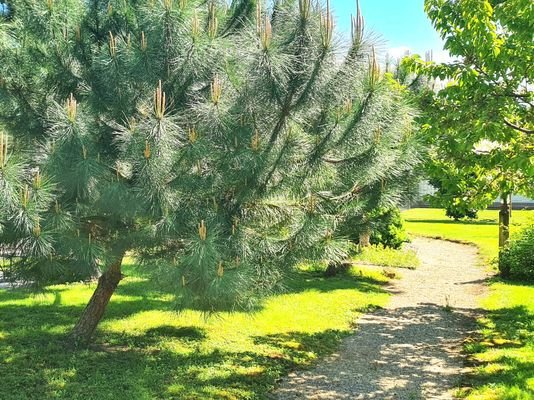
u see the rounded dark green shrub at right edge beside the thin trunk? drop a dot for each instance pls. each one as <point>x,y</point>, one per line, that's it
<point>517,258</point>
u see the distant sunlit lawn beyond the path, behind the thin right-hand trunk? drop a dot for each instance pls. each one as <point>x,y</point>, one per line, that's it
<point>484,232</point>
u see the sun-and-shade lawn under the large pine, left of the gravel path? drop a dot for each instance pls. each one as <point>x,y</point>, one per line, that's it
<point>145,350</point>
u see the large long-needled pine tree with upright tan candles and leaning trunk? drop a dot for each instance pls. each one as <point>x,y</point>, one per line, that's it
<point>220,145</point>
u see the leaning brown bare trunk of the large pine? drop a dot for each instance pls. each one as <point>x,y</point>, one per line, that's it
<point>84,329</point>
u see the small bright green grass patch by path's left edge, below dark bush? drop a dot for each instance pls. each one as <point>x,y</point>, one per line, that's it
<point>387,257</point>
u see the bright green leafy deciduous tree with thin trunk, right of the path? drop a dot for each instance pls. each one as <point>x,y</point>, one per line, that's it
<point>480,125</point>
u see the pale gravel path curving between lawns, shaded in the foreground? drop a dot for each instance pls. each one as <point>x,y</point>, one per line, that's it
<point>411,349</point>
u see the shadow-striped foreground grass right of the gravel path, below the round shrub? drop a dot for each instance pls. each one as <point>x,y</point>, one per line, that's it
<point>503,353</point>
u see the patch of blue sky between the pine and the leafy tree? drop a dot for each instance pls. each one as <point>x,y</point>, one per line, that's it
<point>403,24</point>
